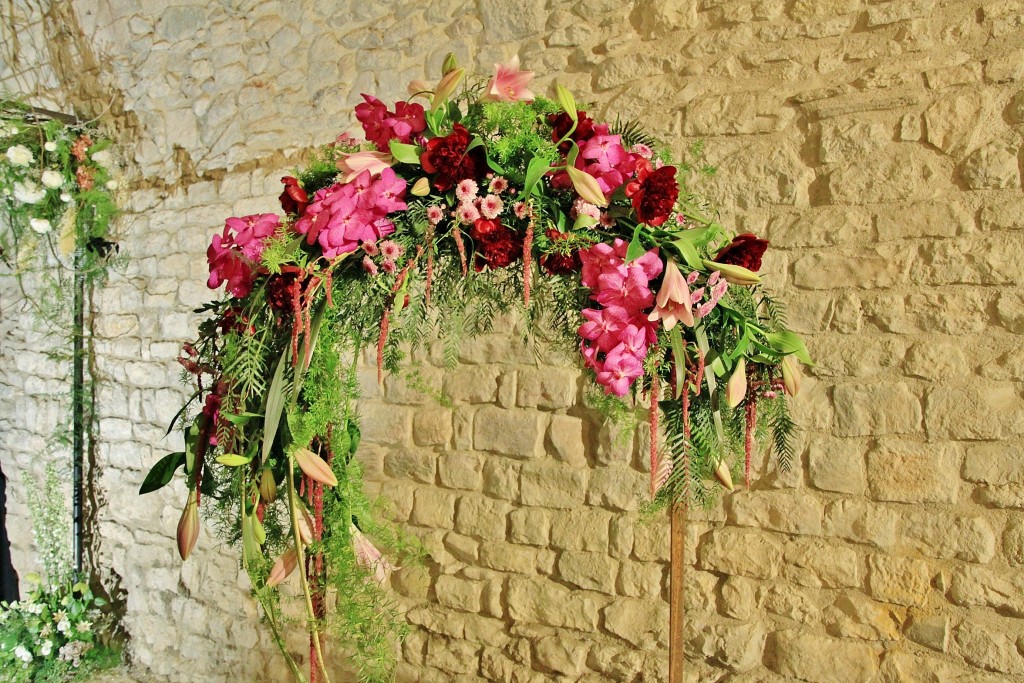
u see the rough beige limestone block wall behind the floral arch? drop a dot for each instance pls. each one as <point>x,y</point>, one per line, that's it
<point>878,146</point>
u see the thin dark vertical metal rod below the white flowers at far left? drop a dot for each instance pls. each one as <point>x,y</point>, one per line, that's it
<point>78,412</point>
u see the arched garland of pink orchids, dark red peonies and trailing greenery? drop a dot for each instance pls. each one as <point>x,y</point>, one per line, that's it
<point>483,199</point>
